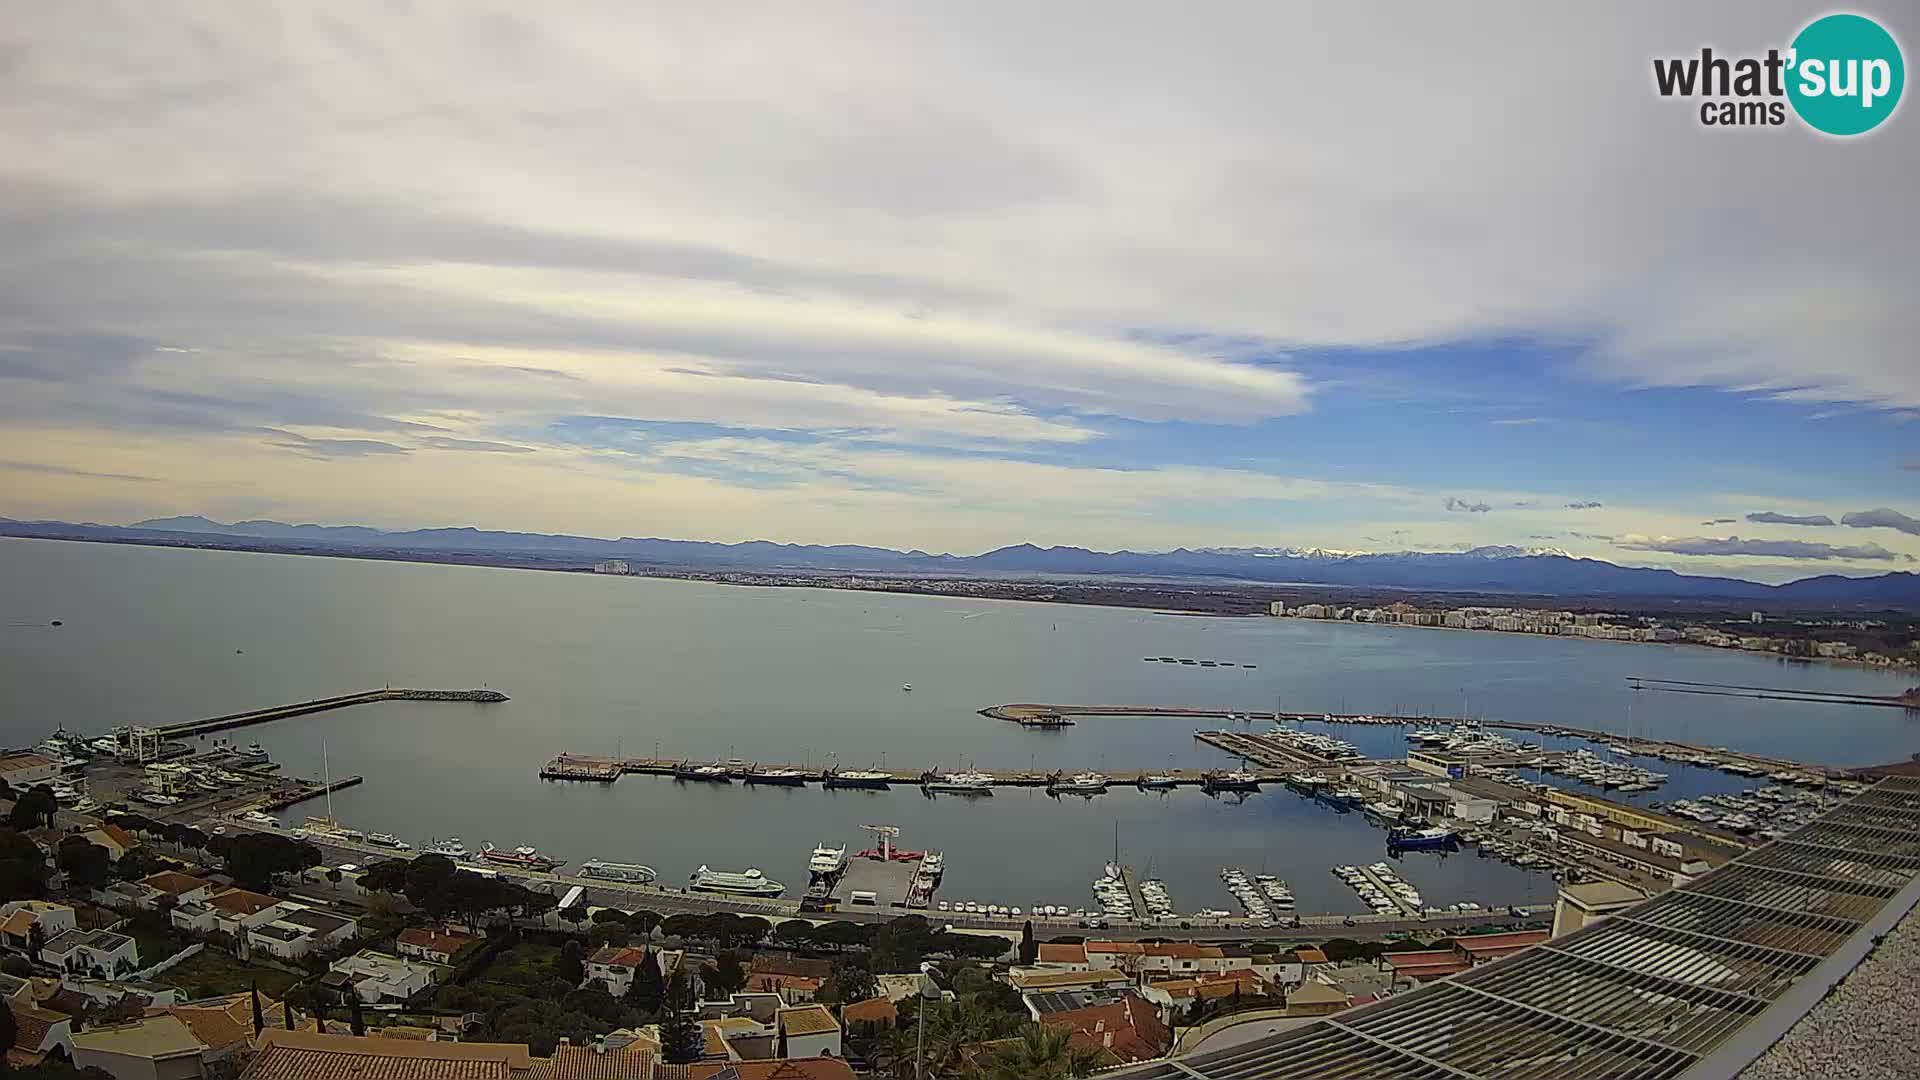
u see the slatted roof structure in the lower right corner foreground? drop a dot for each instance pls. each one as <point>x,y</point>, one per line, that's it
<point>1691,985</point>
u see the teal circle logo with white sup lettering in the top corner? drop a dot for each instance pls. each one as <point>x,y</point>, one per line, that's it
<point>1846,76</point>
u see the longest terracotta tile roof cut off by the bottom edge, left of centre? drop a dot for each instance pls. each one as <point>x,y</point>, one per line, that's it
<point>310,1056</point>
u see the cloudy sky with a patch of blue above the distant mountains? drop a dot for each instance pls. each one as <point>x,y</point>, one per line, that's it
<point>951,278</point>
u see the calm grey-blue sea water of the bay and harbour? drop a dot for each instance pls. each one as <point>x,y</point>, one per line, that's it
<point>606,666</point>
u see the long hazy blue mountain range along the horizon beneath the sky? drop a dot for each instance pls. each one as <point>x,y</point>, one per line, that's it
<point>1506,570</point>
